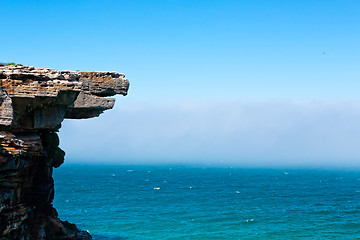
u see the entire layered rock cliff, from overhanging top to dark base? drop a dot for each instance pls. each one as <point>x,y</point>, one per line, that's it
<point>33,103</point>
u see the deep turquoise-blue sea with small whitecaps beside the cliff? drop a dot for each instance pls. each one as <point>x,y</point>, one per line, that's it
<point>149,202</point>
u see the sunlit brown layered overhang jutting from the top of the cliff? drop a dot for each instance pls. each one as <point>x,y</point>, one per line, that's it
<point>40,98</point>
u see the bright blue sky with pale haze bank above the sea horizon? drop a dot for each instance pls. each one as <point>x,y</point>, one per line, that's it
<point>235,83</point>
